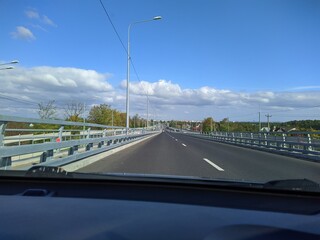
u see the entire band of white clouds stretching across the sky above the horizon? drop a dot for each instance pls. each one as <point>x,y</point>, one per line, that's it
<point>167,99</point>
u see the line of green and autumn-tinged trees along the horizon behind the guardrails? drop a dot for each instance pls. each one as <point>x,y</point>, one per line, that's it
<point>105,115</point>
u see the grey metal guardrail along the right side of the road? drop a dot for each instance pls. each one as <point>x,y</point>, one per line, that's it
<point>299,144</point>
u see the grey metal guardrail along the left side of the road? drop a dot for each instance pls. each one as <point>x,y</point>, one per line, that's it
<point>56,147</point>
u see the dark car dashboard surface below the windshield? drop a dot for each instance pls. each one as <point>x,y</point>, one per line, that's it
<point>112,209</point>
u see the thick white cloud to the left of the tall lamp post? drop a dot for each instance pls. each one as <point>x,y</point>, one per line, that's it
<point>62,84</point>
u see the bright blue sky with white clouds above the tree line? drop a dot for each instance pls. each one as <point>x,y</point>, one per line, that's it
<point>204,58</point>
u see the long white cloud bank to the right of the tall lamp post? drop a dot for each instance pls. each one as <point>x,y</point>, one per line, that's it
<point>172,98</point>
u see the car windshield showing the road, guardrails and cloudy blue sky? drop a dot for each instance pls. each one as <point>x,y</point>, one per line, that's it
<point>216,90</point>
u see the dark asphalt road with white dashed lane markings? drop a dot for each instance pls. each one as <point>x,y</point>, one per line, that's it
<point>179,154</point>
